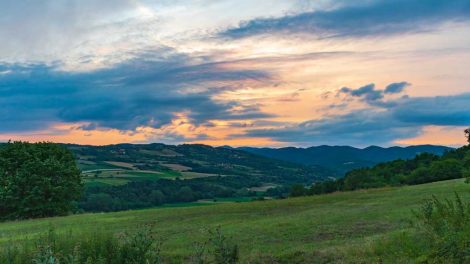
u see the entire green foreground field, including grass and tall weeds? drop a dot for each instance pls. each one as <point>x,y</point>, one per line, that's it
<point>366,226</point>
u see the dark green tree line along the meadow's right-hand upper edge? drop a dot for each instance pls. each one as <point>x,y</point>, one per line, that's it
<point>423,168</point>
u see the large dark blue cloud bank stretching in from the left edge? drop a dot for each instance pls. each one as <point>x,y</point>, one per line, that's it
<point>145,91</point>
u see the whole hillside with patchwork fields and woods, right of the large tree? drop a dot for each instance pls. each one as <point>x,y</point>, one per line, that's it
<point>131,176</point>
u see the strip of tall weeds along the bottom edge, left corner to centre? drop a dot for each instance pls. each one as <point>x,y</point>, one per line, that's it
<point>140,247</point>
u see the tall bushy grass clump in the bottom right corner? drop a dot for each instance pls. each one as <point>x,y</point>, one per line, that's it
<point>440,233</point>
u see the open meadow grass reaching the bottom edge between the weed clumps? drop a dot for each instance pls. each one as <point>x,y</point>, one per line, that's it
<point>348,227</point>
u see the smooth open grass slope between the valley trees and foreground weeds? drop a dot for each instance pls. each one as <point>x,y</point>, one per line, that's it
<point>281,227</point>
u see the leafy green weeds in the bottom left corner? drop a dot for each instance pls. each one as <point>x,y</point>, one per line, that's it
<point>142,246</point>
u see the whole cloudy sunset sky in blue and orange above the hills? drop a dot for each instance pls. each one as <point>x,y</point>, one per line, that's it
<point>235,72</point>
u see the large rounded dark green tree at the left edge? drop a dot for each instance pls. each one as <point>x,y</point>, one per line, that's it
<point>37,180</point>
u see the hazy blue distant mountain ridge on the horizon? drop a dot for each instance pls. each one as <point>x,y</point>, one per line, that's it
<point>341,159</point>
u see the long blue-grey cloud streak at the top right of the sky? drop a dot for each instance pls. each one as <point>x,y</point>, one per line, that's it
<point>380,17</point>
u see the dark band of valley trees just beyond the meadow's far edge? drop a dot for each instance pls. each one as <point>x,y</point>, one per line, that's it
<point>144,194</point>
